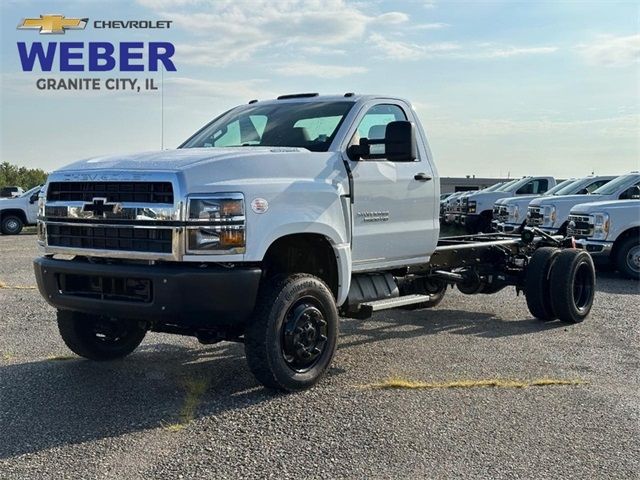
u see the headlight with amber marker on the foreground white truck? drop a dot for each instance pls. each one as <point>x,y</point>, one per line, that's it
<point>216,224</point>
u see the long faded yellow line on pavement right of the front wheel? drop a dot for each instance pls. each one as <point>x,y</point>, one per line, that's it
<point>402,383</point>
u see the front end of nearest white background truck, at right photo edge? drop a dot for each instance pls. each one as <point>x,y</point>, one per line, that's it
<point>610,232</point>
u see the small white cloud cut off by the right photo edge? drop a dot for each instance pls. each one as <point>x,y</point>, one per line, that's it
<point>612,51</point>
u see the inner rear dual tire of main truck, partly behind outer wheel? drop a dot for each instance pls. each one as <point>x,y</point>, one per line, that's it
<point>537,283</point>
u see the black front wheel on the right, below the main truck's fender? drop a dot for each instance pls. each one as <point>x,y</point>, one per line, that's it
<point>292,337</point>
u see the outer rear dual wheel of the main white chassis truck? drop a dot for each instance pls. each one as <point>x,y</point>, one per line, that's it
<point>573,281</point>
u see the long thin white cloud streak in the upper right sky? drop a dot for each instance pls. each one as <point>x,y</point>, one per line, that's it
<point>401,50</point>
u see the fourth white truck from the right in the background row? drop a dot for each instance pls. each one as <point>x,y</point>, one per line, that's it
<point>477,209</point>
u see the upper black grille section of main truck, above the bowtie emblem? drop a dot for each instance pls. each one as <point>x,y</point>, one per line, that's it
<point>135,192</point>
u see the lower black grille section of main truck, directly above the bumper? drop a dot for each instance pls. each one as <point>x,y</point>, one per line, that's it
<point>110,238</point>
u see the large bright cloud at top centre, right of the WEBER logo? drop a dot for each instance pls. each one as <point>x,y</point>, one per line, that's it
<point>227,31</point>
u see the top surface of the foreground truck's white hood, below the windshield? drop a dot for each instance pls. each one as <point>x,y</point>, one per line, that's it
<point>173,160</point>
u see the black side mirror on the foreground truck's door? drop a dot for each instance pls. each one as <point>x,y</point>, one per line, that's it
<point>399,144</point>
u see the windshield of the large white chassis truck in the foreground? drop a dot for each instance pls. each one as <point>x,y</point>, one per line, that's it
<point>310,125</point>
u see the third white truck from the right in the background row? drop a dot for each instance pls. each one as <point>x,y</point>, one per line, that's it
<point>510,214</point>
